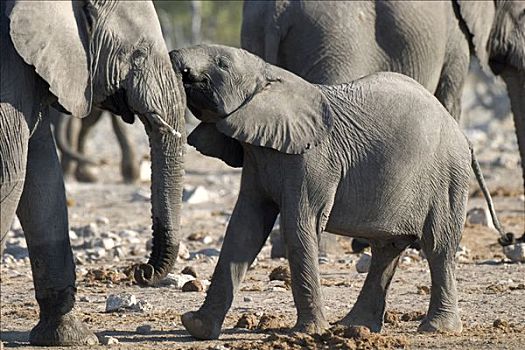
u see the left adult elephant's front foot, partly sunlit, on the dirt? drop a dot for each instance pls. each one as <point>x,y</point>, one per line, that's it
<point>62,330</point>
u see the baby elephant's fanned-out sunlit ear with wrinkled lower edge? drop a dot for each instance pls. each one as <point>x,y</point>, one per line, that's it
<point>289,115</point>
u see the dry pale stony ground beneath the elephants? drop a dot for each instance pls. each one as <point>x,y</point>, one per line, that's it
<point>491,290</point>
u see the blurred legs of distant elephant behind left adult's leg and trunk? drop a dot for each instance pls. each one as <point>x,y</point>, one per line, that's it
<point>71,135</point>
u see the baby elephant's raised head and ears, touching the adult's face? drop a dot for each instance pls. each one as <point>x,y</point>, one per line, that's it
<point>242,99</point>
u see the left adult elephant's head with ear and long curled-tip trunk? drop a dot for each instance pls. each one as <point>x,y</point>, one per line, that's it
<point>111,54</point>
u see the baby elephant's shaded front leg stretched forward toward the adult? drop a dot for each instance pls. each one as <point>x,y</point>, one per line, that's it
<point>249,227</point>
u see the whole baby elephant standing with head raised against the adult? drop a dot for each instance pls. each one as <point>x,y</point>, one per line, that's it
<point>378,158</point>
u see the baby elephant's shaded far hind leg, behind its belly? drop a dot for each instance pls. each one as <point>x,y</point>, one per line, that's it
<point>369,308</point>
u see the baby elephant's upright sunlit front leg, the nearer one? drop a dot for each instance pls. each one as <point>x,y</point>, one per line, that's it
<point>302,243</point>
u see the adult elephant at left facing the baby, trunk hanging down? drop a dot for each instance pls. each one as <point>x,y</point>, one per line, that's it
<point>74,55</point>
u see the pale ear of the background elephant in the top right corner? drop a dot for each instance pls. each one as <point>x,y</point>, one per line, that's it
<point>478,16</point>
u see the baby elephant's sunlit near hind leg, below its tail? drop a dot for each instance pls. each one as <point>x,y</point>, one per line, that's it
<point>441,237</point>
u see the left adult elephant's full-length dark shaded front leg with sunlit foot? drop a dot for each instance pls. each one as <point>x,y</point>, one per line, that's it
<point>43,214</point>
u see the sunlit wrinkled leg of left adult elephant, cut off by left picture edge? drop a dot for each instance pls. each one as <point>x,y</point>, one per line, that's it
<point>14,136</point>
